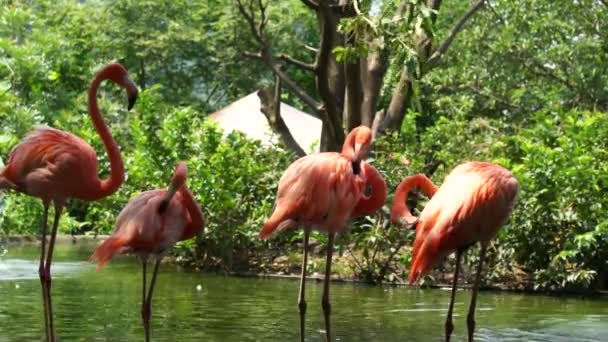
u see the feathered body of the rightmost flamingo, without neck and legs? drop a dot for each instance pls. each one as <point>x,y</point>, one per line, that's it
<point>471,205</point>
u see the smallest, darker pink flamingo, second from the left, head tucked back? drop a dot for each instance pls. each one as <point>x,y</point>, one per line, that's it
<point>151,224</point>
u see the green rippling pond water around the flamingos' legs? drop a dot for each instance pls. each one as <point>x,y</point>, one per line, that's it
<point>104,306</point>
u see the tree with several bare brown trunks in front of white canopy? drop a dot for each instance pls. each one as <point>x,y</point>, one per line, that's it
<point>362,46</point>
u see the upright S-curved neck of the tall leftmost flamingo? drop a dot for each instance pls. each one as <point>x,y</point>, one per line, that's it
<point>117,174</point>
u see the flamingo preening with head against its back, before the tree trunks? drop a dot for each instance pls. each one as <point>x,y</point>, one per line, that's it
<point>322,191</point>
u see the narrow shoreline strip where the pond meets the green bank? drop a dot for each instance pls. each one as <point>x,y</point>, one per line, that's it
<point>90,239</point>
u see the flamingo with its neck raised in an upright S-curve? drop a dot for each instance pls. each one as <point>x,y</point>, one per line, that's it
<point>55,166</point>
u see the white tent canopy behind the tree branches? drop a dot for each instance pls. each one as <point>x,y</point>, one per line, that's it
<point>245,116</point>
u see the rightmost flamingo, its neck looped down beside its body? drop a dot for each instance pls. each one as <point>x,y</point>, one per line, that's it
<point>471,205</point>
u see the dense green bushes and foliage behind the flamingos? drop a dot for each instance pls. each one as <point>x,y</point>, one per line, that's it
<point>524,85</point>
